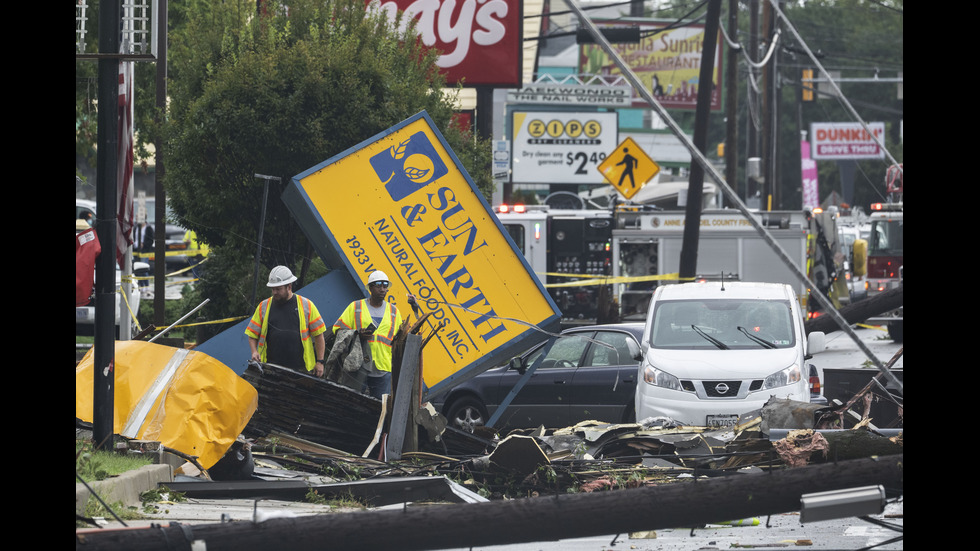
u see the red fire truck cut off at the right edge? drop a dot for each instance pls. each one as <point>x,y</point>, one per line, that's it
<point>885,248</point>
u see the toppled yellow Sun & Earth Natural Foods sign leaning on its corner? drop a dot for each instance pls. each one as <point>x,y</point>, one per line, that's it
<point>402,203</point>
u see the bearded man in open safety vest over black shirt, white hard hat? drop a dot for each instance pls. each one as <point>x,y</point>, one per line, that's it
<point>286,328</point>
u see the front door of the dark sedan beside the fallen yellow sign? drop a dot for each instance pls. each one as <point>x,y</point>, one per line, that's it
<point>545,398</point>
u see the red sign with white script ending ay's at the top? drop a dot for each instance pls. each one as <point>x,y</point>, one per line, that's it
<point>480,40</point>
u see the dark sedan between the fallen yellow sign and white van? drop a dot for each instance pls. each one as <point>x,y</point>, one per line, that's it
<point>587,373</point>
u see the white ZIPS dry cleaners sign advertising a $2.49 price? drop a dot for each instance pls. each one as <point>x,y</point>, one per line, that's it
<point>558,147</point>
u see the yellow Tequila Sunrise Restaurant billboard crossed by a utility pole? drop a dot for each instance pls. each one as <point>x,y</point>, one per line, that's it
<point>666,60</point>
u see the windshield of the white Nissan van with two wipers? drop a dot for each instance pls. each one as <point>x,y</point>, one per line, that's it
<point>722,324</point>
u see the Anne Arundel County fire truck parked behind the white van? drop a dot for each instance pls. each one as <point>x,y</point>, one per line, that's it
<point>601,266</point>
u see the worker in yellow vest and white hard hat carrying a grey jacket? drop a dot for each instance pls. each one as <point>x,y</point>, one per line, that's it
<point>378,321</point>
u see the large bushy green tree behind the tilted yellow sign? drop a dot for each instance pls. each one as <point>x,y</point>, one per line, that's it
<point>276,94</point>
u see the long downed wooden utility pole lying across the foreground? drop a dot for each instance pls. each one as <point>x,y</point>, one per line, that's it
<point>526,520</point>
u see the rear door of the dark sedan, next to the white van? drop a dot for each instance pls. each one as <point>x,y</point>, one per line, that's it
<point>605,382</point>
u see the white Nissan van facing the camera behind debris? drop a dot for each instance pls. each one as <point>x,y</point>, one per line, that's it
<point>713,351</point>
